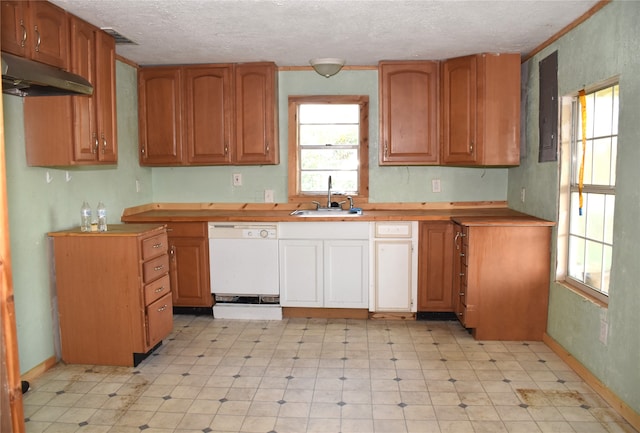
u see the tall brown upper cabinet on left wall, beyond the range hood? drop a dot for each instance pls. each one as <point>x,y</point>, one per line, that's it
<point>77,130</point>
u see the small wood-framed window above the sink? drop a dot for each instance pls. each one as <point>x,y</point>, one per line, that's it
<point>328,136</point>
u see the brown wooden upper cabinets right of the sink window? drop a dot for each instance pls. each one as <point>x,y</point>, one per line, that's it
<point>460,112</point>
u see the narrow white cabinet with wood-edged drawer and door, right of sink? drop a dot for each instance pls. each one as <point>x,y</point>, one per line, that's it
<point>393,273</point>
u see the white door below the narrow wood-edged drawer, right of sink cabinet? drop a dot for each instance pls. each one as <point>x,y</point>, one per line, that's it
<point>393,275</point>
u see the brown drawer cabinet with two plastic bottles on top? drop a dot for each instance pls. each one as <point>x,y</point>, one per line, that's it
<point>113,293</point>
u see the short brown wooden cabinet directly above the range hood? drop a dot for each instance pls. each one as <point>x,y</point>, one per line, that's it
<point>38,30</point>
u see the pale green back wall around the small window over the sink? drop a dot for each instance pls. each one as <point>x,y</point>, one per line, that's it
<point>386,184</point>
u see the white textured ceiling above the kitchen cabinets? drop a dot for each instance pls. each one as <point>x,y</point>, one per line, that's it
<point>290,32</point>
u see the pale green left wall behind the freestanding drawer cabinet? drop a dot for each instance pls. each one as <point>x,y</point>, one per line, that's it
<point>37,207</point>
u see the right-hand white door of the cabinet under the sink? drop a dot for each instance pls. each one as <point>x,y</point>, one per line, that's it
<point>346,269</point>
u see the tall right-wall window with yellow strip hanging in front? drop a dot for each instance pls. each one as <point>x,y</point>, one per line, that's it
<point>590,227</point>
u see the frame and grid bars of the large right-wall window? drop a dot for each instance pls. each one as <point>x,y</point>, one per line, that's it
<point>570,112</point>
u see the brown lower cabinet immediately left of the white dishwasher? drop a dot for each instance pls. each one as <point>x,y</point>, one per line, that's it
<point>189,262</point>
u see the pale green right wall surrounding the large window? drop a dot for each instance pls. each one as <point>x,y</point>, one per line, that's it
<point>605,46</point>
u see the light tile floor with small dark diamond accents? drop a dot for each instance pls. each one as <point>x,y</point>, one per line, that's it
<point>311,375</point>
